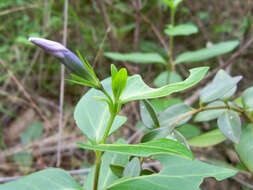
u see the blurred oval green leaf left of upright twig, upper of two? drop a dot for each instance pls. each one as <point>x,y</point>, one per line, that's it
<point>34,132</point>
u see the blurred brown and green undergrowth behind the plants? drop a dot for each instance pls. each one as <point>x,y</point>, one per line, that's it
<point>30,79</point>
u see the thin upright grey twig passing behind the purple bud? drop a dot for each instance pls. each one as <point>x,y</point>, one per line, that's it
<point>64,41</point>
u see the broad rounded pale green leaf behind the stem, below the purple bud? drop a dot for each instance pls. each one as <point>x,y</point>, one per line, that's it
<point>92,116</point>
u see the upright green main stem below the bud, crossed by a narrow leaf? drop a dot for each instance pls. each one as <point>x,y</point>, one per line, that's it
<point>99,153</point>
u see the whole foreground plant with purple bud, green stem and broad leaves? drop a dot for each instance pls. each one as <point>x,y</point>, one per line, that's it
<point>119,165</point>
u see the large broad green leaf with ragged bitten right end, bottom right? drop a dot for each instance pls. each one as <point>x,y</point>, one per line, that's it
<point>177,174</point>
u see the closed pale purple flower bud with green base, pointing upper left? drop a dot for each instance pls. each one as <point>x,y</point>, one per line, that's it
<point>68,58</point>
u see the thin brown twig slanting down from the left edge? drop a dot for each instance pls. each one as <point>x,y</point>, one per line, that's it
<point>26,94</point>
